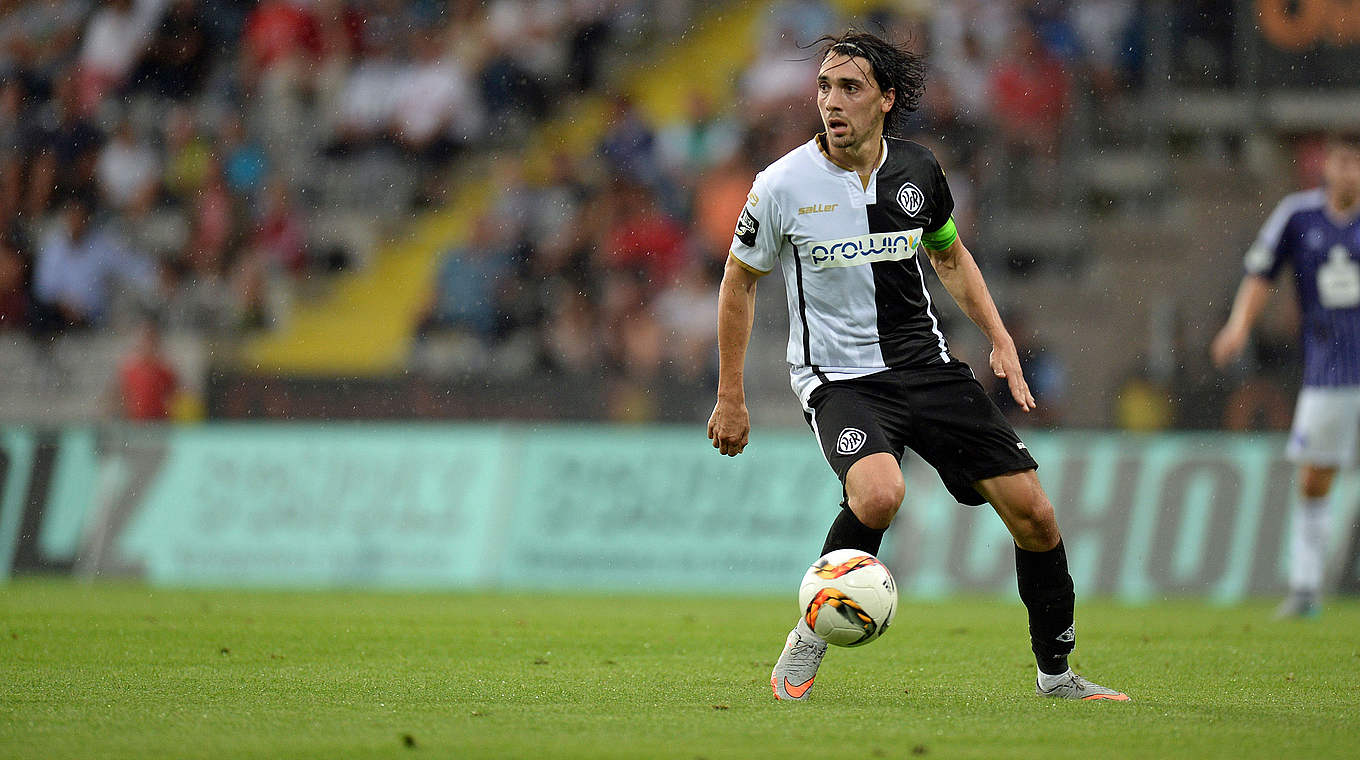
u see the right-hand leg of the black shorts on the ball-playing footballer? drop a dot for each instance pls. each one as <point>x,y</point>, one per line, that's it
<point>962,434</point>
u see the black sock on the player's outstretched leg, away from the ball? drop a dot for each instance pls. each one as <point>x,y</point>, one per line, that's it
<point>1047,592</point>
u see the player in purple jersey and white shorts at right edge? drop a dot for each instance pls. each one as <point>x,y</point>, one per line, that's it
<point>1317,233</point>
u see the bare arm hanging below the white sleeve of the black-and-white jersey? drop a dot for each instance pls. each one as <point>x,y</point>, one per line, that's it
<point>730,428</point>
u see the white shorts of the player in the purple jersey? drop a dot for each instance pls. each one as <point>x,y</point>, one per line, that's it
<point>1327,428</point>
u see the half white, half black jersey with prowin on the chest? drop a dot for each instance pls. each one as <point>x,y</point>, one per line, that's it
<point>851,258</point>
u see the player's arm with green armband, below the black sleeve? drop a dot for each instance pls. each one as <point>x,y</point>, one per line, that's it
<point>961,277</point>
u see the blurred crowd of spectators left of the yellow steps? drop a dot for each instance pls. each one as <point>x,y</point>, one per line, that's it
<point>199,161</point>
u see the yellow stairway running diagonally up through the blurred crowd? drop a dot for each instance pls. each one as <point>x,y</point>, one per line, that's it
<point>364,327</point>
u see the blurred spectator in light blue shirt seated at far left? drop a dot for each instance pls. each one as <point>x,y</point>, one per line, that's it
<point>81,264</point>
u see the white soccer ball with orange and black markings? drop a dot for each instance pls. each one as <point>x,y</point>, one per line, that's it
<point>848,598</point>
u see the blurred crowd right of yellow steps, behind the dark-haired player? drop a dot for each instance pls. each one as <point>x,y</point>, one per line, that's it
<point>613,263</point>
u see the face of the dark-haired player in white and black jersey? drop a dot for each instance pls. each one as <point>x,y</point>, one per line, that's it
<point>849,100</point>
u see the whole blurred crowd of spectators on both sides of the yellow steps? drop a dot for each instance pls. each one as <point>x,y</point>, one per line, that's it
<point>206,162</point>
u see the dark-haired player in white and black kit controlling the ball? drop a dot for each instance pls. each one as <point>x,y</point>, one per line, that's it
<point>847,218</point>
